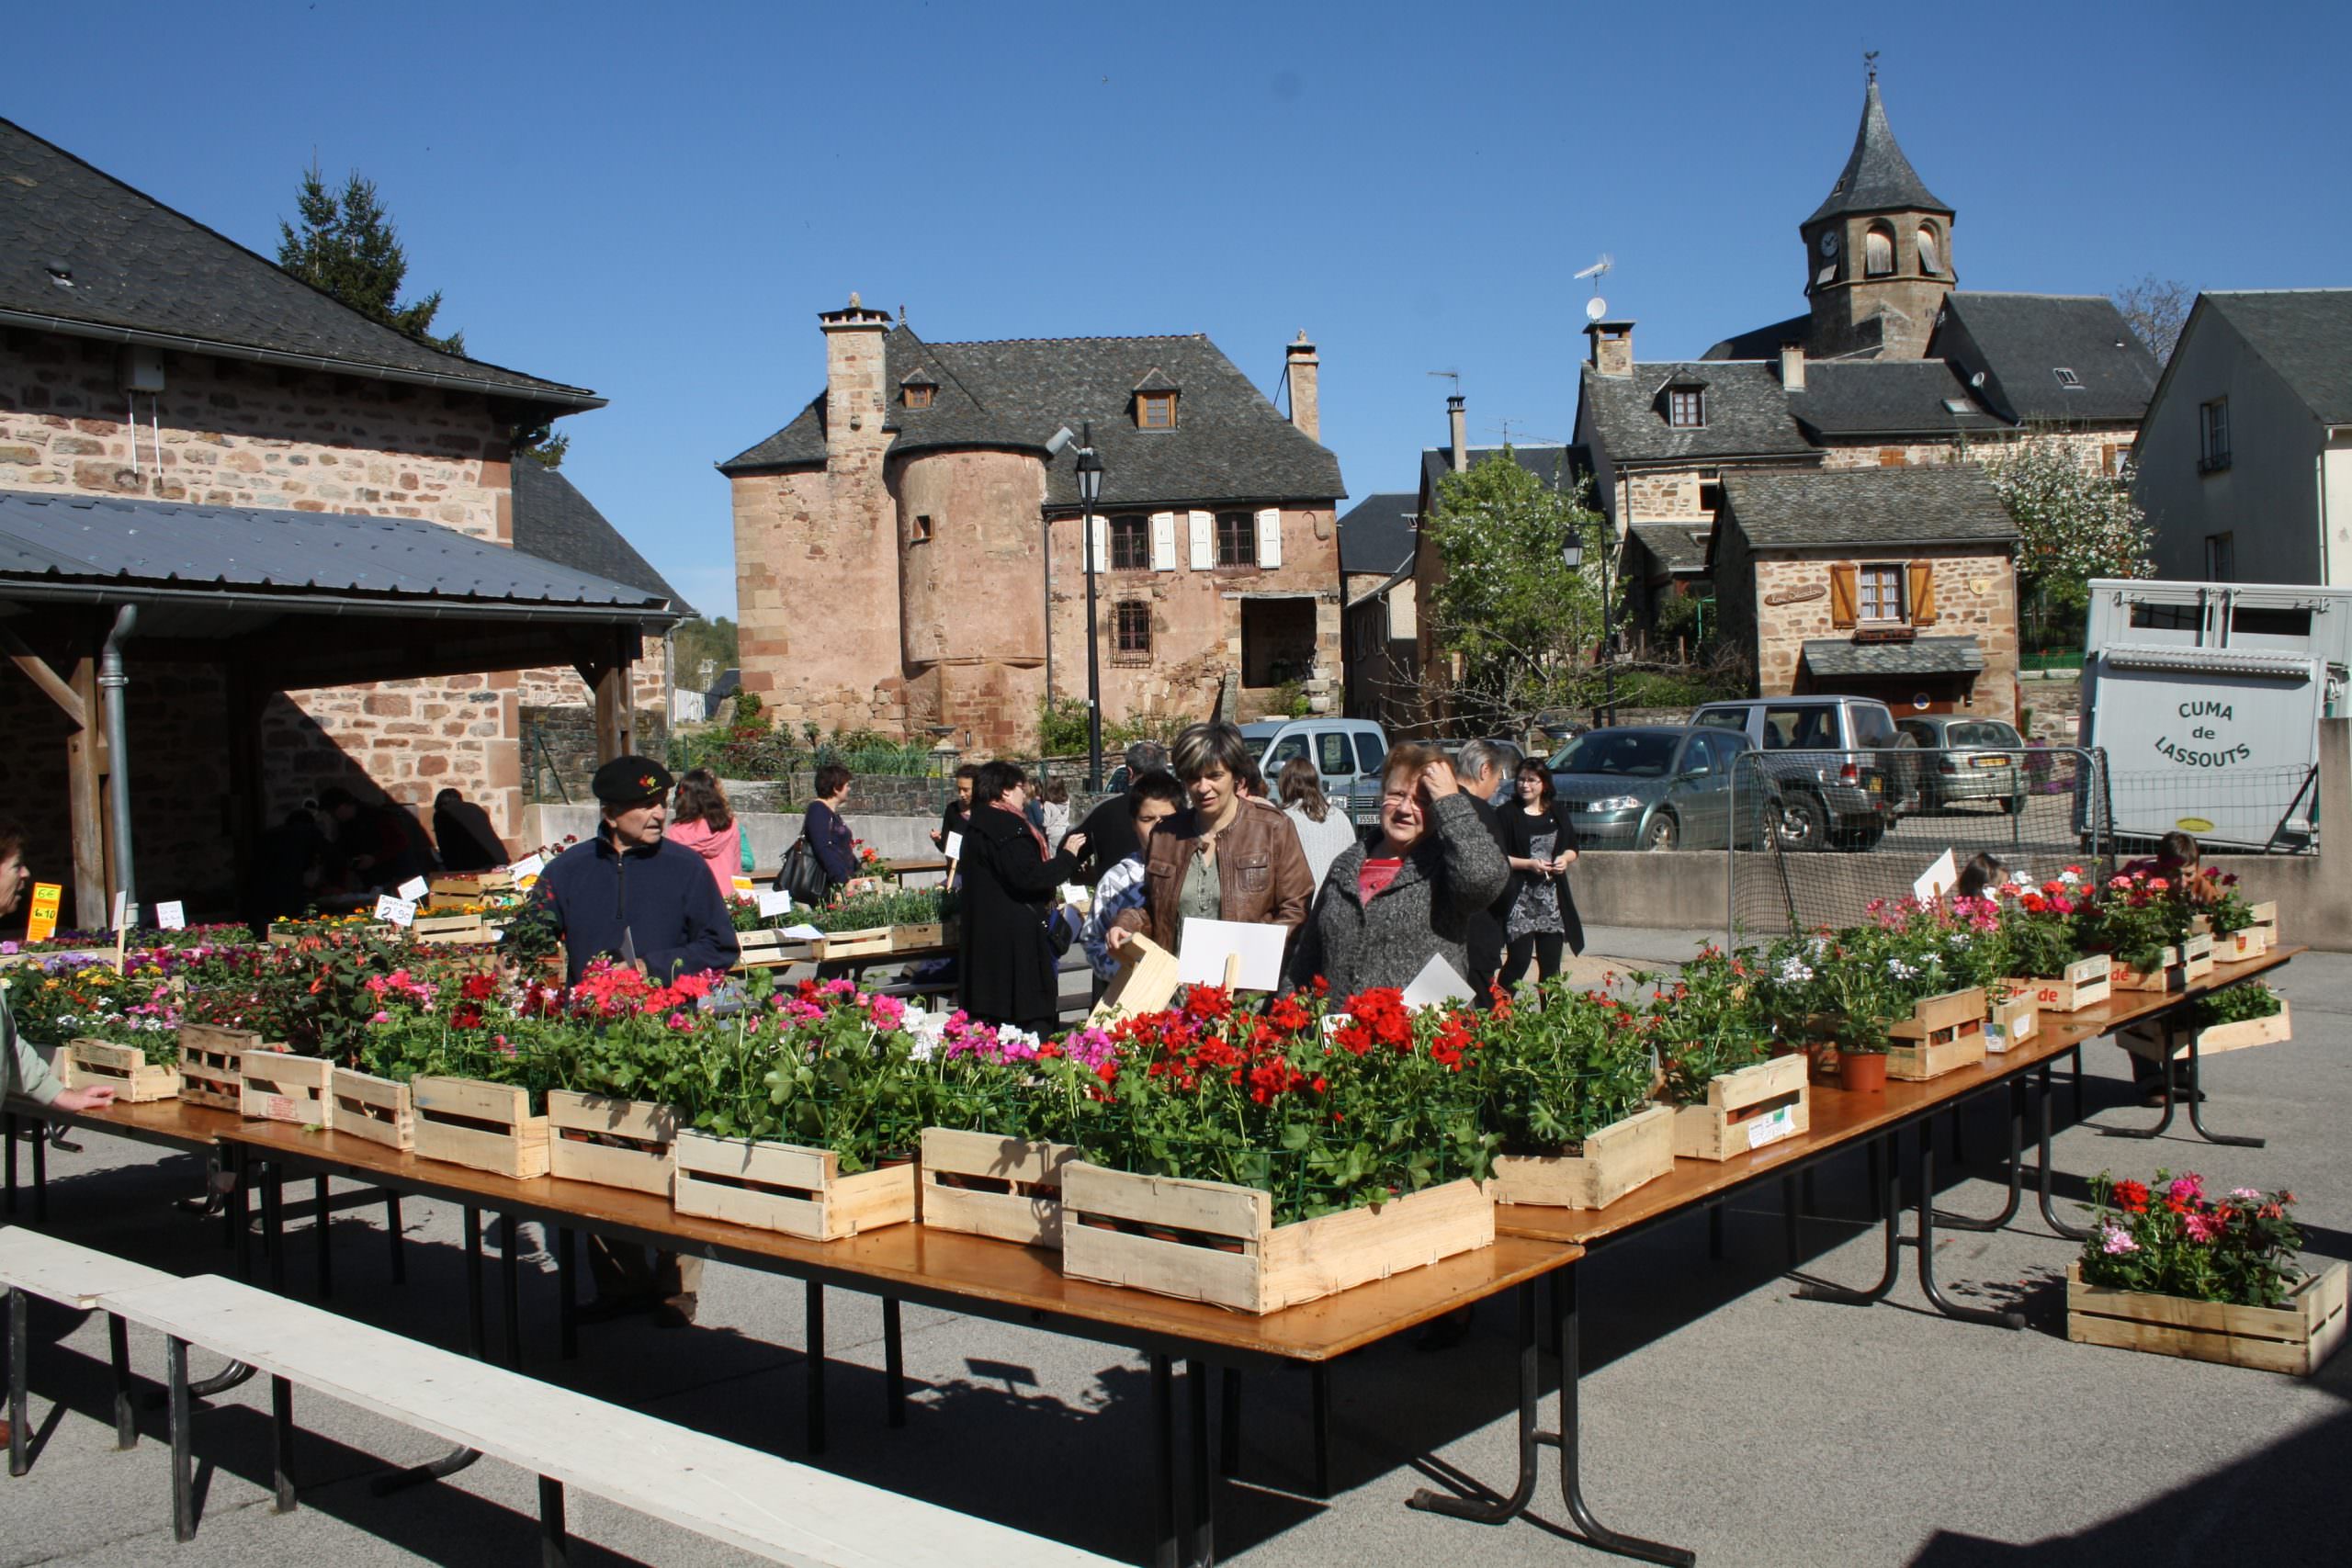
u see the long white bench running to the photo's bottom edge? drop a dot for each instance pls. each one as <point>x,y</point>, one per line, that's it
<point>726,1492</point>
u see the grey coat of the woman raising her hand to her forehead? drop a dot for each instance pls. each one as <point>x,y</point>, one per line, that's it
<point>1441,890</point>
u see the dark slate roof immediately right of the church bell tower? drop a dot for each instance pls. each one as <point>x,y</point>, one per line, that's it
<point>2019,342</point>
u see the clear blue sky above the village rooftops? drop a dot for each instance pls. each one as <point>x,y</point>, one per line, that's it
<point>657,201</point>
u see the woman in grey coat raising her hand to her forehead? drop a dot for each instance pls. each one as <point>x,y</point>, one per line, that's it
<point>1412,897</point>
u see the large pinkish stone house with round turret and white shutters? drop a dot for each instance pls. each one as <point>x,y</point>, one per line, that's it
<point>909,547</point>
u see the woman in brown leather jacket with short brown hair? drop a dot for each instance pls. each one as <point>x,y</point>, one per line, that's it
<point>1224,857</point>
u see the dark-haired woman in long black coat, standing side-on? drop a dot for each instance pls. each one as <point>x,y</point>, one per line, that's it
<point>1010,880</point>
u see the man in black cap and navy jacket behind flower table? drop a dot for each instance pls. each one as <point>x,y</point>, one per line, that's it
<point>632,894</point>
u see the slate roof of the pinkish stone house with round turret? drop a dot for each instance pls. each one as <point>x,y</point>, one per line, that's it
<point>1229,441</point>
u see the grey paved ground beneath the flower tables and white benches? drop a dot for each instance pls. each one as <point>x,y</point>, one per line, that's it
<point>1720,1412</point>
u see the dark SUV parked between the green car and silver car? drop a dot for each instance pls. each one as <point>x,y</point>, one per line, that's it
<point>1831,758</point>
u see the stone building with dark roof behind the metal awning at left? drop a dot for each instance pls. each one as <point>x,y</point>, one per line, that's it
<point>149,359</point>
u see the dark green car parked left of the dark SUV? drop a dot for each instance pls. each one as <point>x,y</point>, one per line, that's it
<point>1655,786</point>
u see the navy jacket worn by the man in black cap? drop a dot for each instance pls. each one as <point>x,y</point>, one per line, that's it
<point>662,897</point>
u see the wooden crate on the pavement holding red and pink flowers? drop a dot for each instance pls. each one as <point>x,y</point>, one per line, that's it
<point>2292,1339</point>
